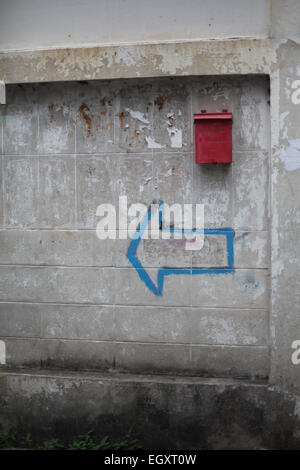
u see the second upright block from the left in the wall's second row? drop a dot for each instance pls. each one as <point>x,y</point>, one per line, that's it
<point>57,191</point>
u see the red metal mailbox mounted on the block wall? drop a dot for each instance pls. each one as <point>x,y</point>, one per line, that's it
<point>213,137</point>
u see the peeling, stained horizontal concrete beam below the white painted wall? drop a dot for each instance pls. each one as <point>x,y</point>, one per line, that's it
<point>221,57</point>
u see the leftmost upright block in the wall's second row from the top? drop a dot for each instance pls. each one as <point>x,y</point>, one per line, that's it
<point>21,191</point>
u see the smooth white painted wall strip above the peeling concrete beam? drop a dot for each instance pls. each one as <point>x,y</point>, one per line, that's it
<point>36,24</point>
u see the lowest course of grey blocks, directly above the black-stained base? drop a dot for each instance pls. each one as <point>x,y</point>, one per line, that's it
<point>134,357</point>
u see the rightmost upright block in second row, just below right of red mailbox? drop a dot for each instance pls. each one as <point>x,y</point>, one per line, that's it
<point>250,190</point>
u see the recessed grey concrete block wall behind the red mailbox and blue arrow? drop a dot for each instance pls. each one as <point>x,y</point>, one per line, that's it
<point>69,300</point>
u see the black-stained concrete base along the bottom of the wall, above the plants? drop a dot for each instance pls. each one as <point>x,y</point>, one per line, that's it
<point>164,412</point>
